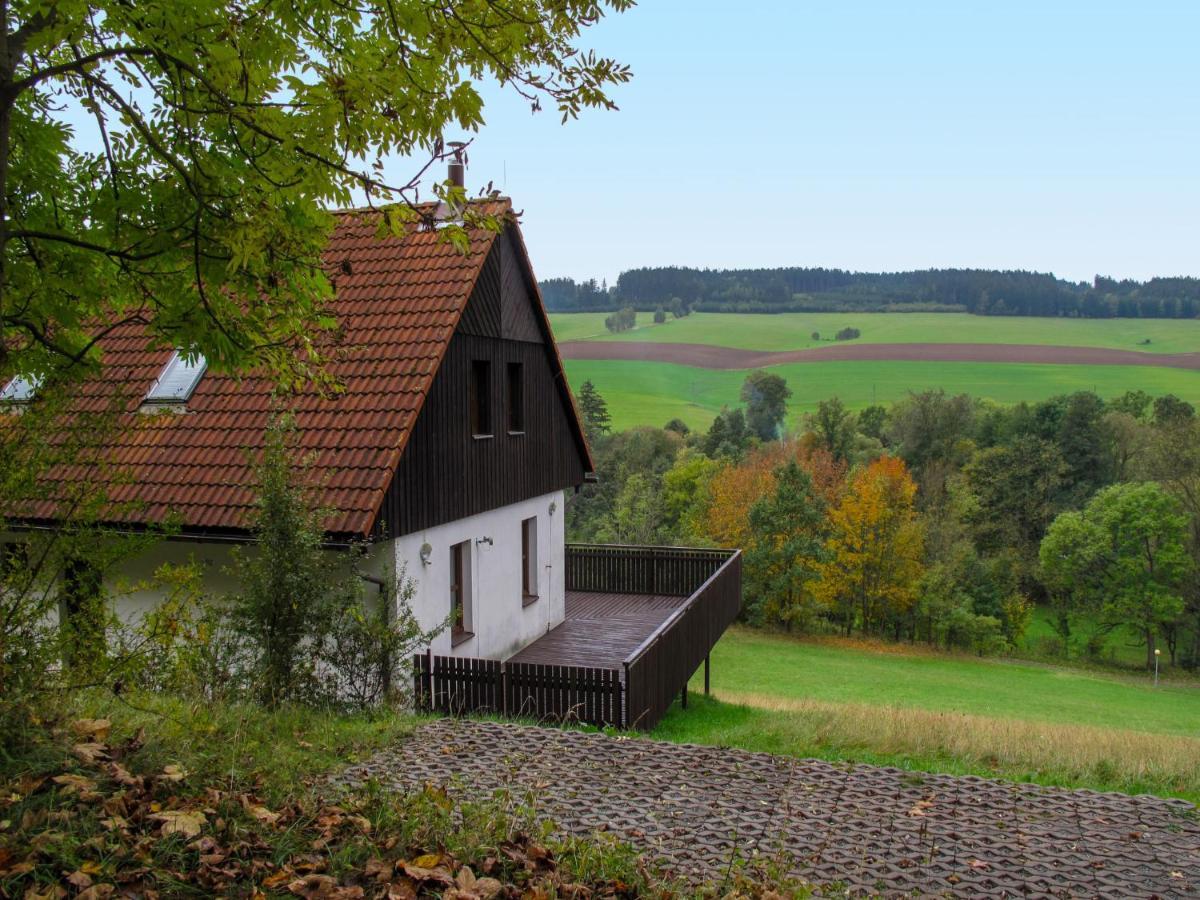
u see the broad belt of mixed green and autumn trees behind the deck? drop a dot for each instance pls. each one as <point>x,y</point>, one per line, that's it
<point>940,519</point>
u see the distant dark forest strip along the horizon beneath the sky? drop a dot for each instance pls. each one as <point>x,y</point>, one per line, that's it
<point>983,292</point>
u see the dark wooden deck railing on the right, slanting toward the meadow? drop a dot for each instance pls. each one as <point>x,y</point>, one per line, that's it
<point>658,671</point>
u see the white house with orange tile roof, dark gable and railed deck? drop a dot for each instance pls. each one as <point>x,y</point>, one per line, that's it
<point>451,453</point>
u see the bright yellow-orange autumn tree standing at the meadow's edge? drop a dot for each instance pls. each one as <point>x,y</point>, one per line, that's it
<point>874,551</point>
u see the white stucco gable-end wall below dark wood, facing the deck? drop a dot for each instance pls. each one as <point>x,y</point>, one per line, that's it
<point>501,622</point>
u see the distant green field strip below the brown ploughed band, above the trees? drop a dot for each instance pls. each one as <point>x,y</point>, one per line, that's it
<point>656,393</point>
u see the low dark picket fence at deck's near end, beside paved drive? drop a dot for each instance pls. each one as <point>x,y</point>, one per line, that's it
<point>458,686</point>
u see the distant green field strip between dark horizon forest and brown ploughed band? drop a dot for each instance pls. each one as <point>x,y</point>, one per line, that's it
<point>794,332</point>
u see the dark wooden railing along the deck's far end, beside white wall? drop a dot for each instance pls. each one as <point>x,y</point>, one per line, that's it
<point>621,569</point>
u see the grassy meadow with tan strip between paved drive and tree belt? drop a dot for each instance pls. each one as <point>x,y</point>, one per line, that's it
<point>947,713</point>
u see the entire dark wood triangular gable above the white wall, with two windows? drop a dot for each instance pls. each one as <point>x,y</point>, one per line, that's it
<point>448,473</point>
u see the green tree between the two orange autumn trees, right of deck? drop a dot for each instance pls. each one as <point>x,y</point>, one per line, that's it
<point>783,560</point>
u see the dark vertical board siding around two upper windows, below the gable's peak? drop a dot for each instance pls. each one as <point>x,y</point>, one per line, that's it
<point>448,475</point>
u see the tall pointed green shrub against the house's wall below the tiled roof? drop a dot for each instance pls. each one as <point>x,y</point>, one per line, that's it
<point>302,629</point>
